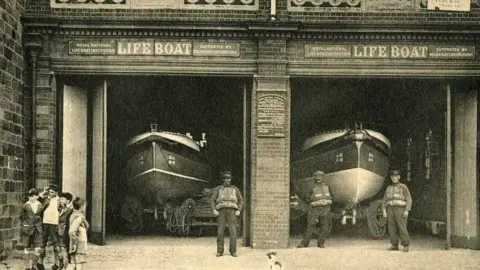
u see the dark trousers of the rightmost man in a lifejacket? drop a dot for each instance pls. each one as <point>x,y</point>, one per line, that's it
<point>397,225</point>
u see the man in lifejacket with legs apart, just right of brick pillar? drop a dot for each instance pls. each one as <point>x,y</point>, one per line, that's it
<point>320,201</point>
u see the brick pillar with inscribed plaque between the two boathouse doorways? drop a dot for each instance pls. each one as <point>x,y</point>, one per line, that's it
<point>270,148</point>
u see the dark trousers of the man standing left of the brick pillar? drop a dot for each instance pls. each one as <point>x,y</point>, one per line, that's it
<point>227,215</point>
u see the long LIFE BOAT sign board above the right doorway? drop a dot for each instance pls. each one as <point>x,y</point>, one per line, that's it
<point>390,51</point>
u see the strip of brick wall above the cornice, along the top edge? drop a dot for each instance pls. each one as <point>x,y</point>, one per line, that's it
<point>336,16</point>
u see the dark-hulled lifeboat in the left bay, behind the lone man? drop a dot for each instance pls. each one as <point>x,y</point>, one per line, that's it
<point>163,169</point>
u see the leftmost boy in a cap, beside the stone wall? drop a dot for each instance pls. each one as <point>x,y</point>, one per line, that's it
<point>31,228</point>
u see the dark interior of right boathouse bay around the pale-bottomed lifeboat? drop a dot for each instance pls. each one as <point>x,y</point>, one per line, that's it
<point>404,110</point>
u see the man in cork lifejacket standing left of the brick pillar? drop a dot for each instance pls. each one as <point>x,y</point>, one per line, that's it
<point>227,204</point>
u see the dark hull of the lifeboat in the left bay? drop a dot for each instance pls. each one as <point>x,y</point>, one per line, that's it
<point>158,175</point>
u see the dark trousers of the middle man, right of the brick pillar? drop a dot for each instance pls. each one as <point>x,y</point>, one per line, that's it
<point>322,214</point>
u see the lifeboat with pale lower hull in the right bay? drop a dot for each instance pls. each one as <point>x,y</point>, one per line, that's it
<point>355,162</point>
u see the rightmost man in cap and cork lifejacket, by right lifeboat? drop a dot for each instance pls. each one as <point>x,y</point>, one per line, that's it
<point>397,202</point>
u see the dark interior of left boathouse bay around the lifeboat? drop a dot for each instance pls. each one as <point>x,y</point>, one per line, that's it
<point>194,105</point>
